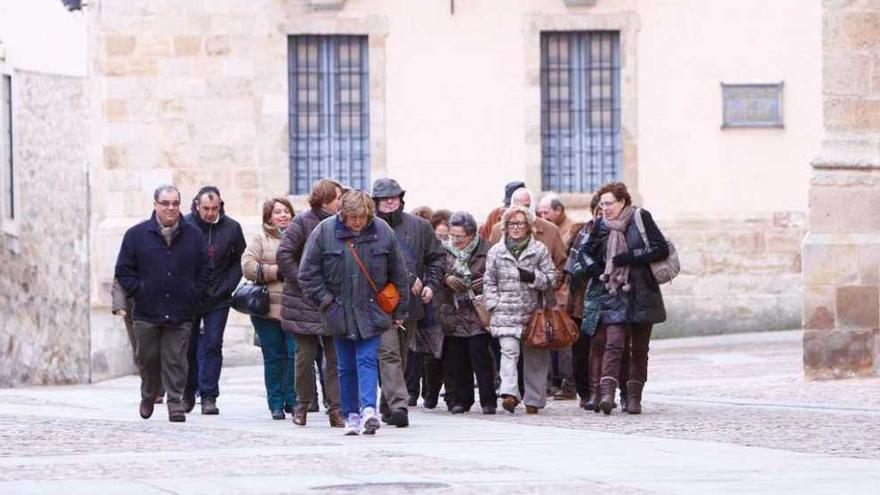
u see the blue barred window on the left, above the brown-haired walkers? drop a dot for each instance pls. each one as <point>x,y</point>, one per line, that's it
<point>329,111</point>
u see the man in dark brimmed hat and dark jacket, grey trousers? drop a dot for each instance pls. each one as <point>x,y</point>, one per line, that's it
<point>424,257</point>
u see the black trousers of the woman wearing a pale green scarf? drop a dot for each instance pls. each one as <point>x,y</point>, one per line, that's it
<point>464,357</point>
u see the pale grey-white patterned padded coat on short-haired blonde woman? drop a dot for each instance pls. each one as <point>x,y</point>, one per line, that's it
<point>511,301</point>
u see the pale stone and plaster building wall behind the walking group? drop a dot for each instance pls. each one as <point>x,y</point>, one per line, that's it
<point>201,92</point>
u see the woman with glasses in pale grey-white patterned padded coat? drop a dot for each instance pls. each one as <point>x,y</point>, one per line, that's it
<point>519,270</point>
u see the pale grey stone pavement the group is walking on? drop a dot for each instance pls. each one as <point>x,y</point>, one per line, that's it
<point>727,414</point>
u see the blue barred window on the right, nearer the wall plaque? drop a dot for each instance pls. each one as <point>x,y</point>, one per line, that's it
<point>580,110</point>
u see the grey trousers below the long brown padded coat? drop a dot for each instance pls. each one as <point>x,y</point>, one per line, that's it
<point>304,380</point>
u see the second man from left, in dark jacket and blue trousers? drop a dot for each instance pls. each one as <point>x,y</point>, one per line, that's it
<point>225,244</point>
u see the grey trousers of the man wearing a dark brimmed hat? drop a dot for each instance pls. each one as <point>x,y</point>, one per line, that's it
<point>393,346</point>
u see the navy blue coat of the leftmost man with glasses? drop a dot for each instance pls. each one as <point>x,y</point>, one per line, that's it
<point>166,282</point>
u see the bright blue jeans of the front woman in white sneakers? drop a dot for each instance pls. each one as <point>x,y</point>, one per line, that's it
<point>358,365</point>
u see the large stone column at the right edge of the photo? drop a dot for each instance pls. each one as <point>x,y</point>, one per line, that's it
<point>841,252</point>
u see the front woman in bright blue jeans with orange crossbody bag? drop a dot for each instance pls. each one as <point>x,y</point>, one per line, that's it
<point>330,274</point>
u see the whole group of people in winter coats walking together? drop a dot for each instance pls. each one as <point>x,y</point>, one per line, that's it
<point>408,304</point>
